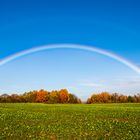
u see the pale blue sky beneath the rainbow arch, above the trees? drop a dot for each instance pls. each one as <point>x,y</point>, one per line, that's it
<point>81,72</point>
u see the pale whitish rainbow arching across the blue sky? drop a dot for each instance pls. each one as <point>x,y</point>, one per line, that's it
<point>71,46</point>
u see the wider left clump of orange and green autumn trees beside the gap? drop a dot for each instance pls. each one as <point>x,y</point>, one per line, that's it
<point>41,96</point>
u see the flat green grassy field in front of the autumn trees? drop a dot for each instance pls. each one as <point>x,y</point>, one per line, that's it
<point>74,122</point>
